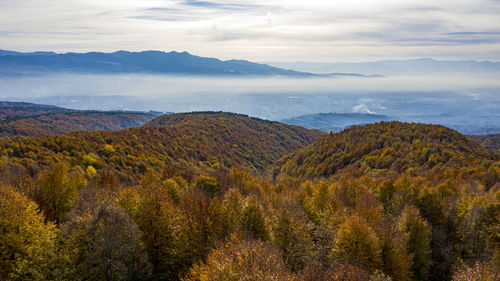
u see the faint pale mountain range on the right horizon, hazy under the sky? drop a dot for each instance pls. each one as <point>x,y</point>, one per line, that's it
<point>395,67</point>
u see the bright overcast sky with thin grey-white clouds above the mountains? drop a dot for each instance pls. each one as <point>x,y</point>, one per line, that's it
<point>259,30</point>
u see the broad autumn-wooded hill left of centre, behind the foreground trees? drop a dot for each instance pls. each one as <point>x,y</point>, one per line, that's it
<point>200,142</point>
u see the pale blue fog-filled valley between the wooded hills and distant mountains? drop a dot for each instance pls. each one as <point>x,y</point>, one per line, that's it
<point>459,100</point>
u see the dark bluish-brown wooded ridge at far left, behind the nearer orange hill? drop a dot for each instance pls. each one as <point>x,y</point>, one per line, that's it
<point>25,119</point>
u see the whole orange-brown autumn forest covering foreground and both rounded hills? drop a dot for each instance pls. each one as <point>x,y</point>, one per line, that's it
<point>219,196</point>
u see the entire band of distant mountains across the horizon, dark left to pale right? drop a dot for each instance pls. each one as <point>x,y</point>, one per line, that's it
<point>184,63</point>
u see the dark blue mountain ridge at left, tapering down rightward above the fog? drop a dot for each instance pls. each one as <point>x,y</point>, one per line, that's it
<point>16,63</point>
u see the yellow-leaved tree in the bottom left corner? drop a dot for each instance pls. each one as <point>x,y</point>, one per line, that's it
<point>27,243</point>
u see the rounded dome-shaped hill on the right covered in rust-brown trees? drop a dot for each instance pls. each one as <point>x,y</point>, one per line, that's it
<point>380,148</point>
